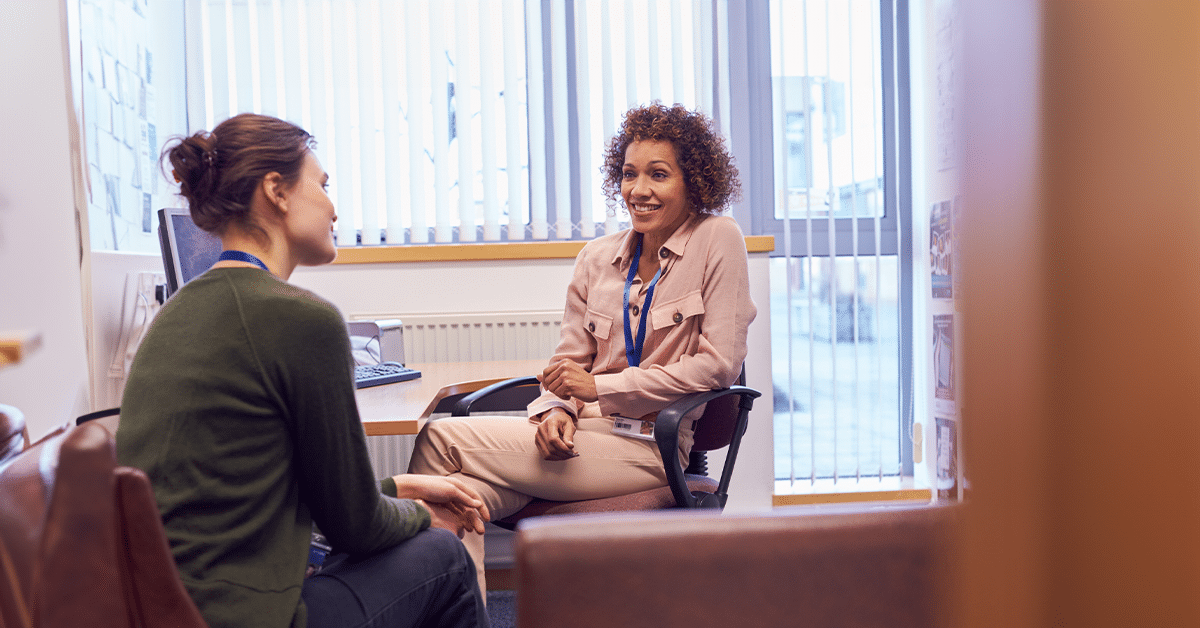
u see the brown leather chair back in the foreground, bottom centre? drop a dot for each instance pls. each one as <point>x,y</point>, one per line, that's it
<point>821,567</point>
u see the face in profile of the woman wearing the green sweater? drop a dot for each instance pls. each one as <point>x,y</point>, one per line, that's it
<point>311,216</point>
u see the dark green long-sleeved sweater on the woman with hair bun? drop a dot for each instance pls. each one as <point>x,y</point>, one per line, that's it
<point>241,409</point>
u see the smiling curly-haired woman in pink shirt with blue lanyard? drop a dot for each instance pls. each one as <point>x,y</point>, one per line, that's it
<point>653,313</point>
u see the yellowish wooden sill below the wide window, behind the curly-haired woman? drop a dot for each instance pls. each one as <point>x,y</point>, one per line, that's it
<point>485,252</point>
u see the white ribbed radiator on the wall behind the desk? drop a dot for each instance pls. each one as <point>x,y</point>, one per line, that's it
<point>461,338</point>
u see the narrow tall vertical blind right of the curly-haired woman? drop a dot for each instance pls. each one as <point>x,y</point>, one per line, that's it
<point>837,318</point>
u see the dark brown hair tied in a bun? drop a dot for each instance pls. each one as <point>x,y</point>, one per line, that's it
<point>218,172</point>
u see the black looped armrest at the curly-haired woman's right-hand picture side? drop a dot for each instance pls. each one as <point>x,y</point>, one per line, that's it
<point>667,435</point>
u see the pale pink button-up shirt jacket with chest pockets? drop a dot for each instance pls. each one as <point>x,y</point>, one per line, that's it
<point>699,319</point>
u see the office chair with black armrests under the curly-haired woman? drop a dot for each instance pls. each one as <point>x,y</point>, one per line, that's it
<point>723,424</point>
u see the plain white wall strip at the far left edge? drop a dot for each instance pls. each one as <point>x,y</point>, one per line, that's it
<point>40,253</point>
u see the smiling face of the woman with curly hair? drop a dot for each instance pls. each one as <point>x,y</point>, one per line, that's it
<point>655,190</point>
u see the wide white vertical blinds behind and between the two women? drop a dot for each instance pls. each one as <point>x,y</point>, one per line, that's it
<point>458,121</point>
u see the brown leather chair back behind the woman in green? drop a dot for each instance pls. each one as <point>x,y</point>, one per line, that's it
<point>82,541</point>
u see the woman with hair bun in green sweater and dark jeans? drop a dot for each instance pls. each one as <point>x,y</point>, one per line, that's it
<point>241,409</point>
